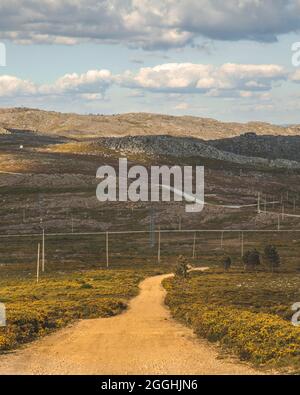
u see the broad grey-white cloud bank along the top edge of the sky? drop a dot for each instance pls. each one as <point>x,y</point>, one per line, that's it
<point>146,23</point>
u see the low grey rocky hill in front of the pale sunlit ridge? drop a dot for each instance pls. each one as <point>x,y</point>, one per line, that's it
<point>170,146</point>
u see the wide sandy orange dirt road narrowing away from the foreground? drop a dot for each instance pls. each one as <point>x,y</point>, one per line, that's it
<point>143,340</point>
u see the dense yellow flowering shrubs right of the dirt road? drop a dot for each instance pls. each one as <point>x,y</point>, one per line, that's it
<point>260,337</point>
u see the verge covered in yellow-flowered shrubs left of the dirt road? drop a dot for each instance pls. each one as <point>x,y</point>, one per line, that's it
<point>34,309</point>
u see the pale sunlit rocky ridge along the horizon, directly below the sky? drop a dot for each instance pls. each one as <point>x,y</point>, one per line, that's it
<point>94,126</point>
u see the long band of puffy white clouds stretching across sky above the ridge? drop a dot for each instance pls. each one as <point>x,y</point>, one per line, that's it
<point>228,80</point>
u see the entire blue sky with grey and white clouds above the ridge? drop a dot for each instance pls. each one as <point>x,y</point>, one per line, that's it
<point>229,60</point>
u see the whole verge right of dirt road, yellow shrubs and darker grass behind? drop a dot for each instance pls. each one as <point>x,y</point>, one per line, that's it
<point>247,313</point>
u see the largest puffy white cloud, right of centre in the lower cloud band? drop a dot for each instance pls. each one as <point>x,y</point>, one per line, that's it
<point>199,78</point>
